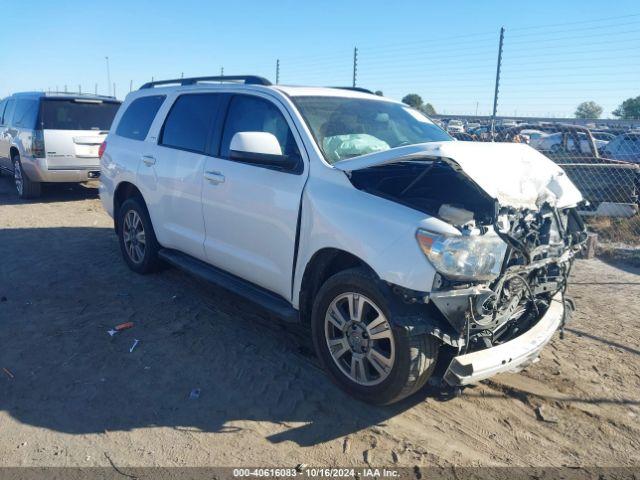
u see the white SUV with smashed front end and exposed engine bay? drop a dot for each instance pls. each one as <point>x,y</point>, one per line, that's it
<point>401,249</point>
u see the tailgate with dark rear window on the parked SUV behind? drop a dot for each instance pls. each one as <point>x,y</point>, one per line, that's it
<point>73,130</point>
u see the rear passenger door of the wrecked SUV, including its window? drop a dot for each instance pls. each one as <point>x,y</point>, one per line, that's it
<point>171,172</point>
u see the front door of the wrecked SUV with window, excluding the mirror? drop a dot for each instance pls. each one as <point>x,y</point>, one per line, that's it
<point>251,211</point>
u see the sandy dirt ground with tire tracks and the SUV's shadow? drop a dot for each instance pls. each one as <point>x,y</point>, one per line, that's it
<point>71,395</point>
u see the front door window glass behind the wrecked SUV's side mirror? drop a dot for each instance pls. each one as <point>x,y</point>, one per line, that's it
<point>253,114</point>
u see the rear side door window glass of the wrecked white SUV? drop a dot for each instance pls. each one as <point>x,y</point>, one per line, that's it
<point>189,121</point>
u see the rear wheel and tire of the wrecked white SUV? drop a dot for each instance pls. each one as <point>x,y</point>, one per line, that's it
<point>148,262</point>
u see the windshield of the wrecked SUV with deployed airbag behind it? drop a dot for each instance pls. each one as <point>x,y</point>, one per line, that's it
<point>349,127</point>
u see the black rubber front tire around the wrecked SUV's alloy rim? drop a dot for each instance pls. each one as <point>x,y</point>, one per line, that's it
<point>415,355</point>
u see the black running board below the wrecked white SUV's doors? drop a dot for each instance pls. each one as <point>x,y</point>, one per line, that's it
<point>275,304</point>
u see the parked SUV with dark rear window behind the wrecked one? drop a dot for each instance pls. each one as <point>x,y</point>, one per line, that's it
<point>48,137</point>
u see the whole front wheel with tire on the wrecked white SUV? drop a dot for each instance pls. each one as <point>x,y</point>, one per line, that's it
<point>359,345</point>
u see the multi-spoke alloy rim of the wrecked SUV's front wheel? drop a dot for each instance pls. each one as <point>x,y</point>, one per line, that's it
<point>359,338</point>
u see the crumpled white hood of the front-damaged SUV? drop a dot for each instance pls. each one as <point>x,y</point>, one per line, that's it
<point>515,175</point>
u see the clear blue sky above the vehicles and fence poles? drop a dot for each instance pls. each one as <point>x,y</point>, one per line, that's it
<point>557,53</point>
